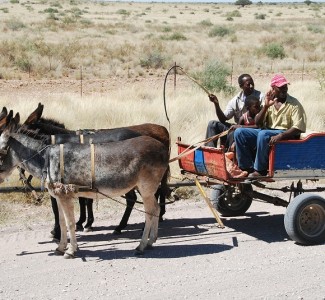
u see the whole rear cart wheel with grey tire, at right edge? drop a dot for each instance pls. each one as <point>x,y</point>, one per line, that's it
<point>304,219</point>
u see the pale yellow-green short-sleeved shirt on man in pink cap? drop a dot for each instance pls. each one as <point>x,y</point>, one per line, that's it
<point>291,114</point>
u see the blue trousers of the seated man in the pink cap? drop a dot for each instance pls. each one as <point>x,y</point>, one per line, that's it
<point>252,147</point>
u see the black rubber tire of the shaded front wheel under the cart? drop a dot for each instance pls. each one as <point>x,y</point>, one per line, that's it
<point>225,208</point>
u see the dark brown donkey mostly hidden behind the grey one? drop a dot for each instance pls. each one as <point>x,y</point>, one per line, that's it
<point>46,126</point>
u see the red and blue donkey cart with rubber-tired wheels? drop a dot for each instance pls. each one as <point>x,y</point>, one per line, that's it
<point>290,160</point>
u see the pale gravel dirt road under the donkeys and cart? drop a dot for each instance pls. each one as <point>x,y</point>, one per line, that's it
<point>251,258</point>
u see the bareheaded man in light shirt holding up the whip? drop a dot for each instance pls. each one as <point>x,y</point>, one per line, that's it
<point>235,109</point>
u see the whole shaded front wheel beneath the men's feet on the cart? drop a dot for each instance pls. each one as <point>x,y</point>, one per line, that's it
<point>230,203</point>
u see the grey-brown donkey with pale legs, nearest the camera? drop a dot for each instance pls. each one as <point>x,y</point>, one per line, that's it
<point>71,170</point>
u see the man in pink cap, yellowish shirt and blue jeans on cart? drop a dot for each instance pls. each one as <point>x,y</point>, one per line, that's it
<point>282,117</point>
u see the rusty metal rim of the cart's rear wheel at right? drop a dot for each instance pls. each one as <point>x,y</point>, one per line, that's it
<point>312,220</point>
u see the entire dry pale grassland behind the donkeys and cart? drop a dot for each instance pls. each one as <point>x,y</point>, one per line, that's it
<point>132,45</point>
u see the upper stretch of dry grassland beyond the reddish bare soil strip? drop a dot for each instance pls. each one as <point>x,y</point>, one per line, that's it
<point>54,38</point>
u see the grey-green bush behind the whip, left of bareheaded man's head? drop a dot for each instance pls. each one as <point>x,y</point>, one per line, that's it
<point>214,77</point>
